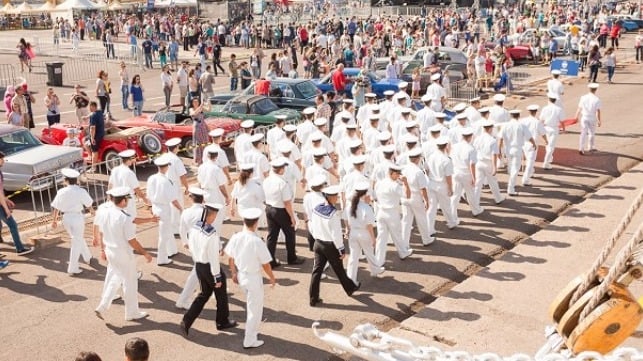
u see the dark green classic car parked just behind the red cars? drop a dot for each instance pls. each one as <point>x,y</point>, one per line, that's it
<point>255,107</point>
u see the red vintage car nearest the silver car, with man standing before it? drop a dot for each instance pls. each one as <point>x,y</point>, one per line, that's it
<point>145,142</point>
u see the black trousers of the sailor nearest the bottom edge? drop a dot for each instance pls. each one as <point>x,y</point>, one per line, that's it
<point>206,279</point>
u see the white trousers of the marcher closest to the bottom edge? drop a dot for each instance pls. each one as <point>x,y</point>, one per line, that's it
<point>252,286</point>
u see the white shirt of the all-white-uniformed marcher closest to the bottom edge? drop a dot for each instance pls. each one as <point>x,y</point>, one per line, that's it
<point>249,252</point>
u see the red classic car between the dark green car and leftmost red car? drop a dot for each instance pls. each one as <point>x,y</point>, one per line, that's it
<point>174,124</point>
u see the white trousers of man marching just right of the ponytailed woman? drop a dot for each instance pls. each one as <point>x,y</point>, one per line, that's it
<point>389,225</point>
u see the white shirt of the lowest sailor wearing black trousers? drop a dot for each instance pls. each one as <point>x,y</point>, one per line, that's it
<point>205,245</point>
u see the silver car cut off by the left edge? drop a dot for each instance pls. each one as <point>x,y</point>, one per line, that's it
<point>29,162</point>
